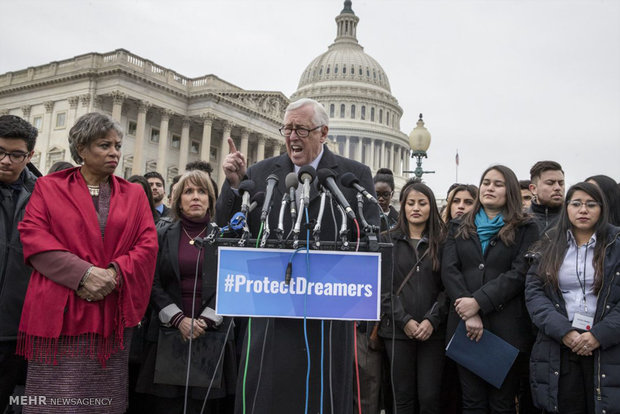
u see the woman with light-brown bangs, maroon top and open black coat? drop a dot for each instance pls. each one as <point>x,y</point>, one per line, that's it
<point>183,302</point>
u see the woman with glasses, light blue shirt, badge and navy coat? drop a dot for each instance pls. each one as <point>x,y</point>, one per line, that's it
<point>573,296</point>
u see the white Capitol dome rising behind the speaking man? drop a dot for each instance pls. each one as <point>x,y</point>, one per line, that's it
<point>354,89</point>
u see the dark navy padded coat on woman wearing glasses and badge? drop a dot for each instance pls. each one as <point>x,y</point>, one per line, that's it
<point>548,311</point>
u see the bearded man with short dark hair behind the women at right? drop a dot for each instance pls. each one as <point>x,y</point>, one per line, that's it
<point>547,187</point>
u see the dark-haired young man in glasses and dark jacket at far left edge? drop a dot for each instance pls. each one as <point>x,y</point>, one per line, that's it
<point>17,140</point>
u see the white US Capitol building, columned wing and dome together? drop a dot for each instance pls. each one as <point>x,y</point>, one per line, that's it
<point>170,120</point>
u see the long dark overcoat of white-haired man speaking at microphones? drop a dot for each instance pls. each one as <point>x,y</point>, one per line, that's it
<point>282,382</point>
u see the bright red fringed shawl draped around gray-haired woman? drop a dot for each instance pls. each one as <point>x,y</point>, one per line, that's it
<point>61,216</point>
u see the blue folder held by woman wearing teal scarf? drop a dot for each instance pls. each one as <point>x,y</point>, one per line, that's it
<point>490,359</point>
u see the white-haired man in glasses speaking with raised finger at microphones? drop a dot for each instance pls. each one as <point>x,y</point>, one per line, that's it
<point>281,385</point>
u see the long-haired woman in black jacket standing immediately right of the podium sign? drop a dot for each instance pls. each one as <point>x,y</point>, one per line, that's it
<point>415,308</point>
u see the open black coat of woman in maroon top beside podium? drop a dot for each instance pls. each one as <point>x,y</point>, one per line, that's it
<point>166,291</point>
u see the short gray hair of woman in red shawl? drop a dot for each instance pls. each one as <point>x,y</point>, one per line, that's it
<point>88,128</point>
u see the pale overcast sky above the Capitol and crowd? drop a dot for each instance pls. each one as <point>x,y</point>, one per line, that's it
<point>503,81</point>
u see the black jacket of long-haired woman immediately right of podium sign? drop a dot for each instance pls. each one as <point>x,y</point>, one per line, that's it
<point>422,297</point>
